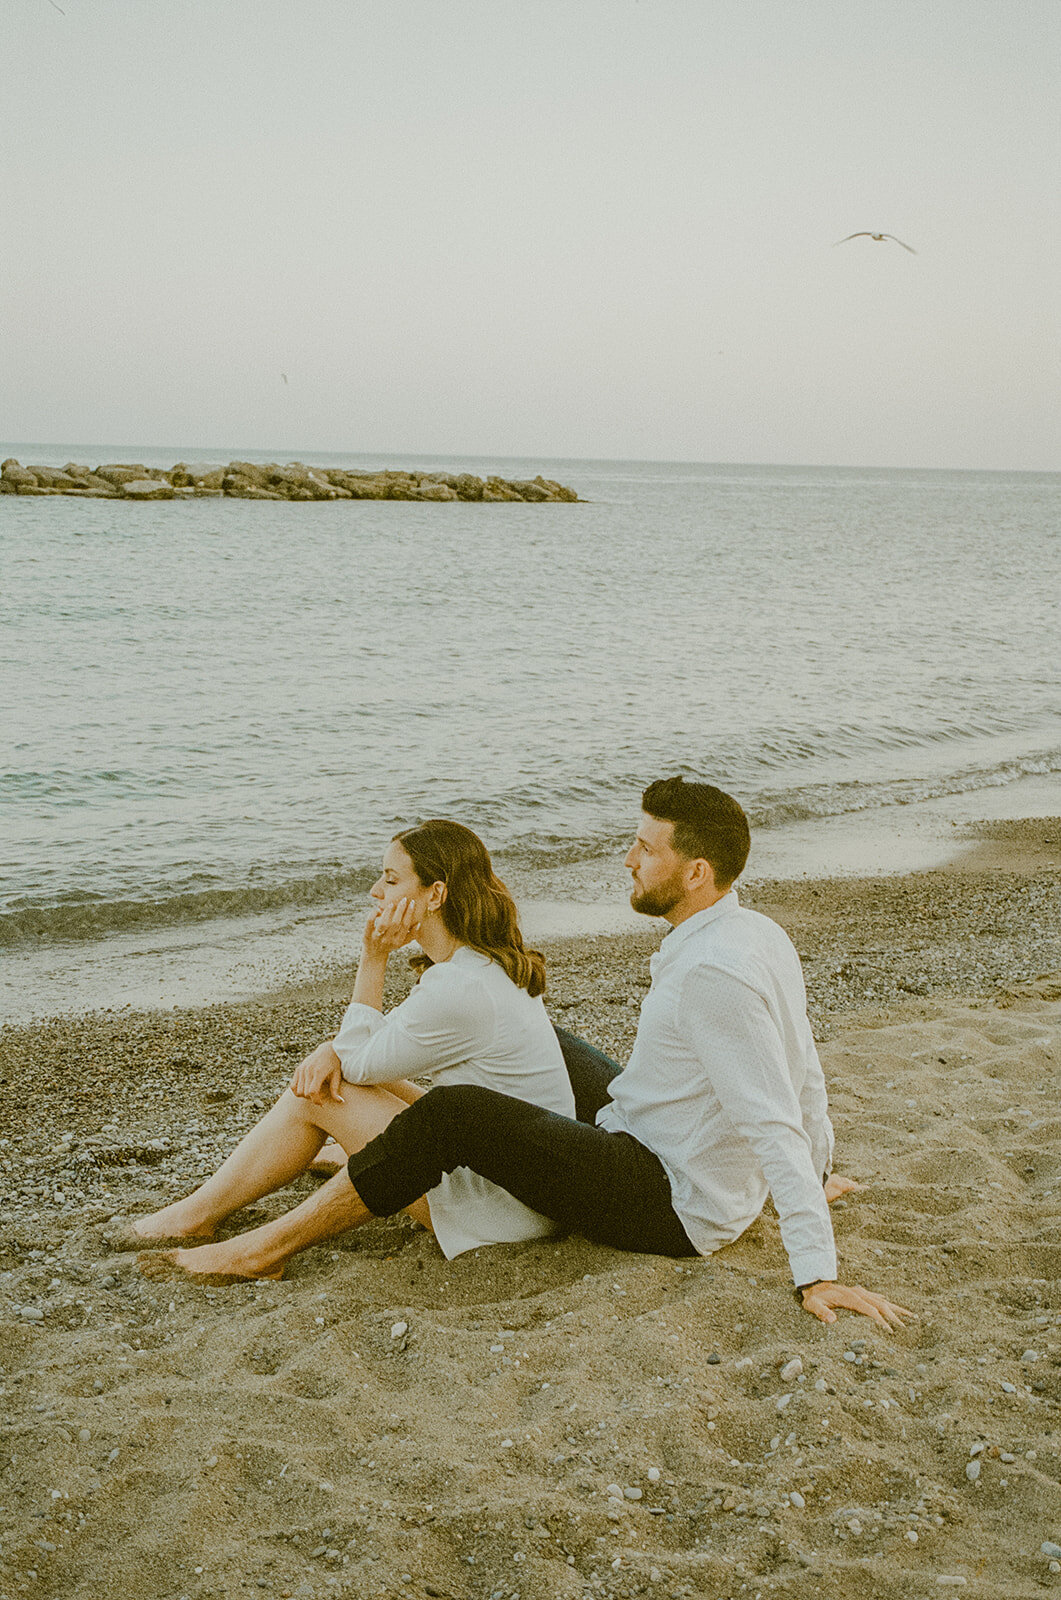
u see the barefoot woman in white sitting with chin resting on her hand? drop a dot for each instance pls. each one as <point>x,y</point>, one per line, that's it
<point>476,1017</point>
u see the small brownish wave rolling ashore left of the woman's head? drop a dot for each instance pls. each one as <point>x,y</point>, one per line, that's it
<point>90,918</point>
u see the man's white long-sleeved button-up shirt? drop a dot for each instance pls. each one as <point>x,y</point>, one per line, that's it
<point>726,1086</point>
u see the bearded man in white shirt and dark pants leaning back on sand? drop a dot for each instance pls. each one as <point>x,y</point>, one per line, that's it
<point>723,1102</point>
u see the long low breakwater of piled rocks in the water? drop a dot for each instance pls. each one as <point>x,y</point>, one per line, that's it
<point>250,481</point>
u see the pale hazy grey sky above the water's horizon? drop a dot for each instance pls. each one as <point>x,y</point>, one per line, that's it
<point>540,228</point>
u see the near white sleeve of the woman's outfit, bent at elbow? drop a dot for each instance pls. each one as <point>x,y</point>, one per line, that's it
<point>439,1025</point>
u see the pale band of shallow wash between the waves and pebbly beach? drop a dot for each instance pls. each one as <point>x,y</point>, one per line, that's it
<point>225,959</point>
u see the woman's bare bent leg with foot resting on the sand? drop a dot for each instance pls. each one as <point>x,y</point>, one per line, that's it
<point>273,1154</point>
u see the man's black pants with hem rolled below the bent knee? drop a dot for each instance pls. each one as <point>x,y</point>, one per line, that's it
<point>603,1185</point>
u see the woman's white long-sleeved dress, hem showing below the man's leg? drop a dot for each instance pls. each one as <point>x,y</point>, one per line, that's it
<point>465,1023</point>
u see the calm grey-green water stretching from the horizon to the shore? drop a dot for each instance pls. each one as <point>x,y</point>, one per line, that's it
<point>225,706</point>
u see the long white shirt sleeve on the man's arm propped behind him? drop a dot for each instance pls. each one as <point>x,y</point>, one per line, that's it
<point>737,1041</point>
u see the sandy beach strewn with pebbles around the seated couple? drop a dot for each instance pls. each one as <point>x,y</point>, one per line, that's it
<point>561,1420</point>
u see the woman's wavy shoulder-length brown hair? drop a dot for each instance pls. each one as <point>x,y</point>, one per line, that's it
<point>478,908</point>
